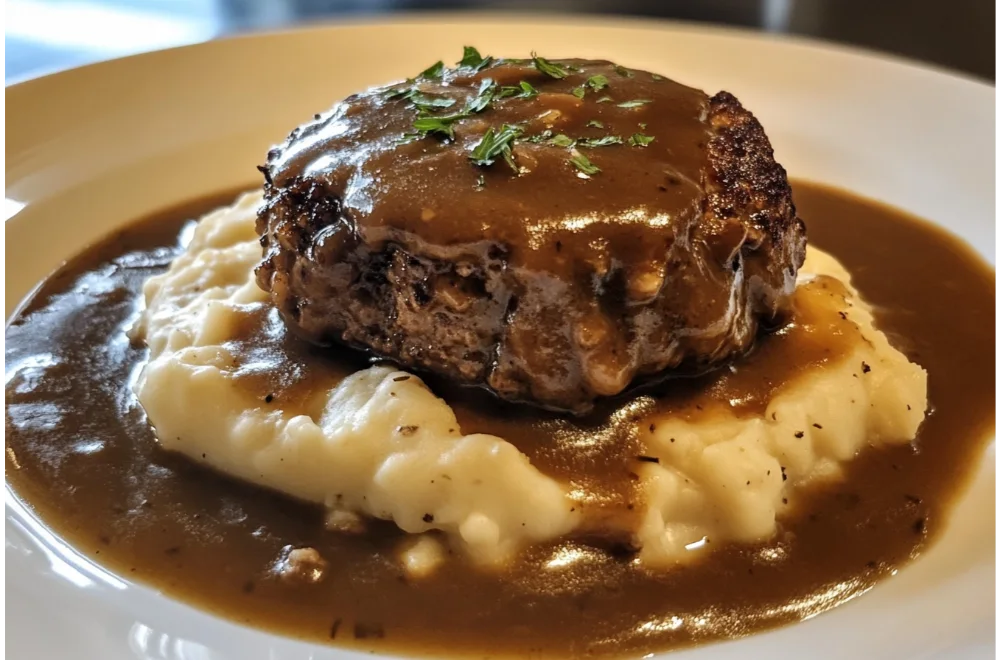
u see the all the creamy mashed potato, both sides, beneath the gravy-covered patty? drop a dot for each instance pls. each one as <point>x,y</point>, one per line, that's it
<point>383,445</point>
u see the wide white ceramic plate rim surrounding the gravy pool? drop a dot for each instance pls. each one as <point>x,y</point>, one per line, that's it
<point>89,149</point>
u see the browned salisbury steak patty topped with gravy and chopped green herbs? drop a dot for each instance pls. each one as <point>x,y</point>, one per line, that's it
<point>549,230</point>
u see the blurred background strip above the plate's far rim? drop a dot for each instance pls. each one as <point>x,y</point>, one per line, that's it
<point>44,35</point>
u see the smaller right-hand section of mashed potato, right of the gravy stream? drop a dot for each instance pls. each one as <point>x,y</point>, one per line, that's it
<point>729,478</point>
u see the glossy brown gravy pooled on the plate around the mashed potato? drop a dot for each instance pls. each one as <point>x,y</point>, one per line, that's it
<point>81,453</point>
